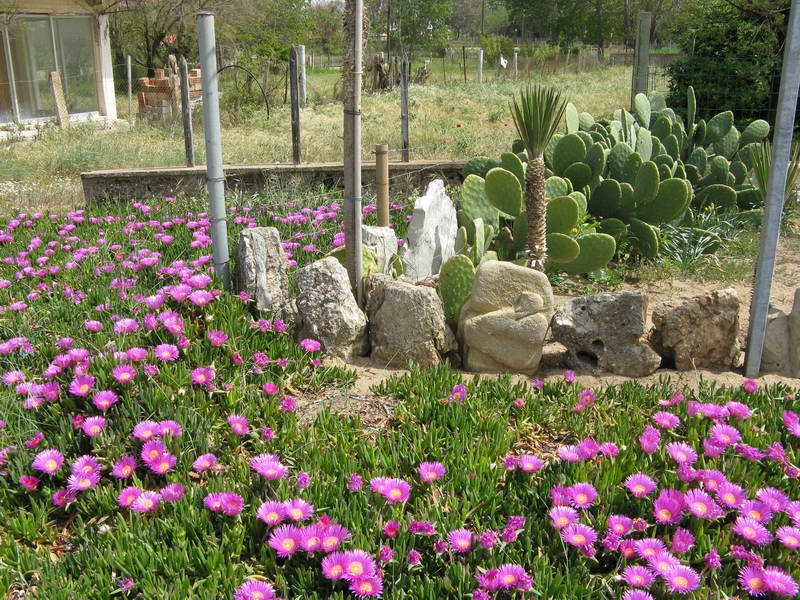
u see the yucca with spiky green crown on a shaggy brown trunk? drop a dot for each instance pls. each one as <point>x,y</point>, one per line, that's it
<point>537,113</point>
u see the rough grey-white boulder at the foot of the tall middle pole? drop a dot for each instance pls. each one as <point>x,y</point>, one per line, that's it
<point>328,311</point>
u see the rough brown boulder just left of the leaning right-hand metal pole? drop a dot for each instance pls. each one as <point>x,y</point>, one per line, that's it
<point>698,332</point>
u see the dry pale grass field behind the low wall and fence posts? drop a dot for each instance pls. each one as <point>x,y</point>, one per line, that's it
<point>447,121</point>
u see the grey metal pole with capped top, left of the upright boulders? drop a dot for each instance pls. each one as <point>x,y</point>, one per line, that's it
<point>215,175</point>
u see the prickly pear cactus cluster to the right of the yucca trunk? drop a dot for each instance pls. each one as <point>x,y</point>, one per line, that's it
<point>645,169</point>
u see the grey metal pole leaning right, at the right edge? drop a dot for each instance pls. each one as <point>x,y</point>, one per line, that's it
<point>776,189</point>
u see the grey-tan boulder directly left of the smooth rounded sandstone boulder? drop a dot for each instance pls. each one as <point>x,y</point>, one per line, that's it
<point>407,324</point>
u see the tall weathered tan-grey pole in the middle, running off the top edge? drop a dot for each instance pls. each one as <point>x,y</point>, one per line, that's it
<point>354,10</point>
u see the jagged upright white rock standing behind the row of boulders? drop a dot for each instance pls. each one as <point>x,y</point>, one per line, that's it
<point>430,239</point>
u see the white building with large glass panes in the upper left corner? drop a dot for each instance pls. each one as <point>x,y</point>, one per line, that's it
<point>41,36</point>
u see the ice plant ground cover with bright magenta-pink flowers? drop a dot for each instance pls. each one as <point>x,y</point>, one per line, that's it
<point>149,448</point>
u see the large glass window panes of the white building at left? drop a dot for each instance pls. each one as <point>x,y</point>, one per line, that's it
<point>39,45</point>
